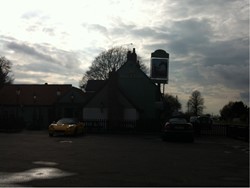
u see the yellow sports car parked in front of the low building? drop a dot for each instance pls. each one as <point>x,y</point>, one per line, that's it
<point>66,126</point>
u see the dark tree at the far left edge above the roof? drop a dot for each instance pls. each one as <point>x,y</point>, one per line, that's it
<point>6,76</point>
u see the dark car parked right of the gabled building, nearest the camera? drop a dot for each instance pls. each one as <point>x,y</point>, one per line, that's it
<point>178,128</point>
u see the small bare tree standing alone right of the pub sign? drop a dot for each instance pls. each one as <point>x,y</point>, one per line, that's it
<point>195,103</point>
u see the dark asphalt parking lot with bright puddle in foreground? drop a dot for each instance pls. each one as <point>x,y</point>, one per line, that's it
<point>33,158</point>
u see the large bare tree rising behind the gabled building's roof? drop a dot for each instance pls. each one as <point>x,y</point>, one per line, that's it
<point>105,62</point>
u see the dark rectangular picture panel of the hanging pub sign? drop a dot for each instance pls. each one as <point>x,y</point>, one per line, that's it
<point>159,69</point>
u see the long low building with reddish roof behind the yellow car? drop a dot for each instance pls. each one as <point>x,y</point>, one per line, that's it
<point>39,105</point>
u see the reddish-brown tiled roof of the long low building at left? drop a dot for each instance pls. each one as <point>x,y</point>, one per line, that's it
<point>32,94</point>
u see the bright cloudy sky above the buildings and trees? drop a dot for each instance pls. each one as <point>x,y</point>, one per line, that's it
<point>55,41</point>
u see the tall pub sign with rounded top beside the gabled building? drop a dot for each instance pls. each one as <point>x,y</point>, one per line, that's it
<point>159,67</point>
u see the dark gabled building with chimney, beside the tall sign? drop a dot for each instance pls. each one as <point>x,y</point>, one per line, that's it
<point>128,99</point>
